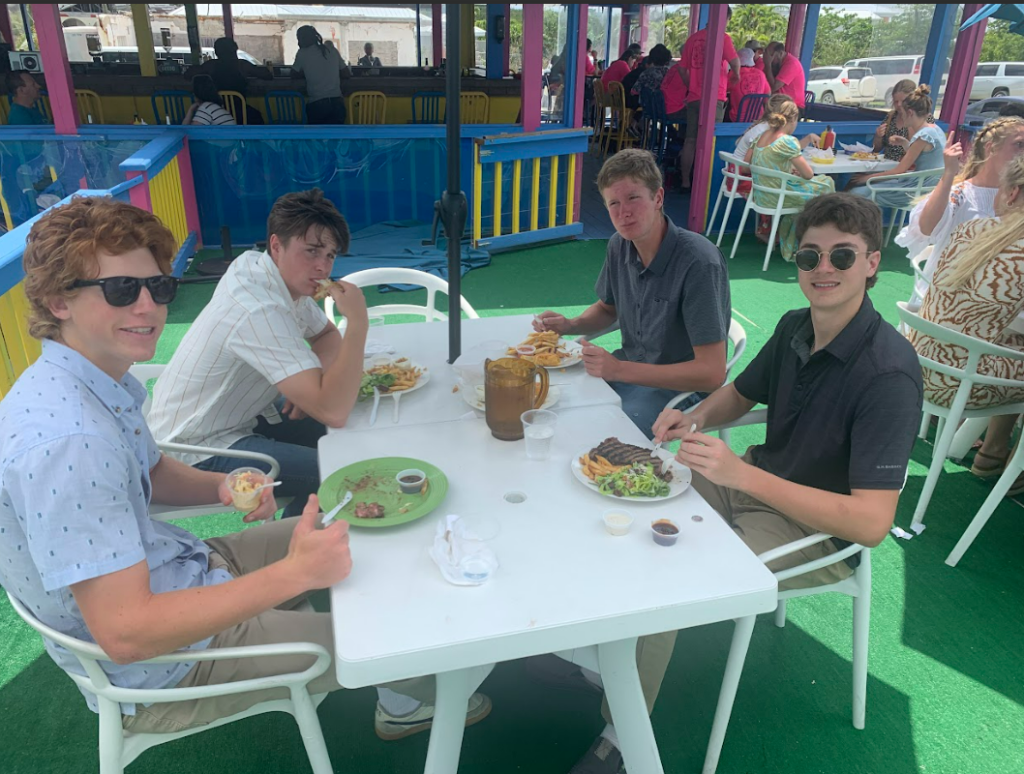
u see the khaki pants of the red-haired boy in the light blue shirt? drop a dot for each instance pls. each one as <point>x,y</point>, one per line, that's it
<point>241,553</point>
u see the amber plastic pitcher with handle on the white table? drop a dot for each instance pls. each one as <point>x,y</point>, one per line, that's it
<point>511,388</point>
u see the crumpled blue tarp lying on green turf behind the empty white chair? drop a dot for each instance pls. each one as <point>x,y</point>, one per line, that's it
<point>399,244</point>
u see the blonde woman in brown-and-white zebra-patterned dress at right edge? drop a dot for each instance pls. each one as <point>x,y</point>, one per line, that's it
<point>978,290</point>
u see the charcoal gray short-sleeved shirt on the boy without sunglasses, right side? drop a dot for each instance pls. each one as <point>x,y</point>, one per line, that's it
<point>678,303</point>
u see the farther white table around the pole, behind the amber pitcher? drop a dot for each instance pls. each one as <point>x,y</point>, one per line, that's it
<point>426,345</point>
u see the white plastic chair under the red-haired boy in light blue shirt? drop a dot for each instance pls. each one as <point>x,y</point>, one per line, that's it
<point>119,748</point>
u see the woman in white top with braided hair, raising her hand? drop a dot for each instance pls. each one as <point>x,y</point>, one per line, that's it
<point>961,198</point>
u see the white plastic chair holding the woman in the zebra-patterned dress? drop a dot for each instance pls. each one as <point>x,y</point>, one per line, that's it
<point>968,377</point>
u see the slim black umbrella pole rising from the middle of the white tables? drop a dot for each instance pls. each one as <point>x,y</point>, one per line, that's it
<point>453,207</point>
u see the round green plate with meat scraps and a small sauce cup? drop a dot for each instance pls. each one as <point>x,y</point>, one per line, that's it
<point>374,482</point>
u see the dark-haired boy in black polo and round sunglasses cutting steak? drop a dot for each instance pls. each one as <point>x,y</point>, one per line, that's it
<point>844,397</point>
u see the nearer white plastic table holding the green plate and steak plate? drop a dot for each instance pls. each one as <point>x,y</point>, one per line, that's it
<point>565,586</point>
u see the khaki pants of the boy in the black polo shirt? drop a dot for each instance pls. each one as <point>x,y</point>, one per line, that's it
<point>762,529</point>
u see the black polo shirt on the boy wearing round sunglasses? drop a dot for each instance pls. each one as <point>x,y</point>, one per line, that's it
<point>844,418</point>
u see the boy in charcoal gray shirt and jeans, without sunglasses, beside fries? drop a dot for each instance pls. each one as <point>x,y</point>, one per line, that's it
<point>667,288</point>
